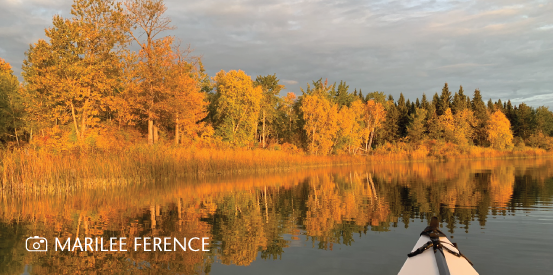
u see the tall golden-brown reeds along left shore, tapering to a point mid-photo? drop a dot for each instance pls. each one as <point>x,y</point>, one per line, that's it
<point>26,171</point>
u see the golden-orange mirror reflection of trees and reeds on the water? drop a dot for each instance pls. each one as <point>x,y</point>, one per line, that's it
<point>249,218</point>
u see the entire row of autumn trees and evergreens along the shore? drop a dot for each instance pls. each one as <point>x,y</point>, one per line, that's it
<point>109,68</point>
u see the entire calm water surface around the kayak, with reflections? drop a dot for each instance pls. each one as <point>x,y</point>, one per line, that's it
<point>358,220</point>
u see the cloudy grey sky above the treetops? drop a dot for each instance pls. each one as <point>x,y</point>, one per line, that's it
<point>502,47</point>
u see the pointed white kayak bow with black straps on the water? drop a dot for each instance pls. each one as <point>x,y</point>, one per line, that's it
<point>427,257</point>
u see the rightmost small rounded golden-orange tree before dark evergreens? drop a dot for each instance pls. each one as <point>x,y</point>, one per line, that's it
<point>499,131</point>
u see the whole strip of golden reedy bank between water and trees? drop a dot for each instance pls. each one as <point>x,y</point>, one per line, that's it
<point>29,171</point>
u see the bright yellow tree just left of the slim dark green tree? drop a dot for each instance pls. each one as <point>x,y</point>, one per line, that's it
<point>238,104</point>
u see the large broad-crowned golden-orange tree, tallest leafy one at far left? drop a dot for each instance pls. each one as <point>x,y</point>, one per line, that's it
<point>68,77</point>
